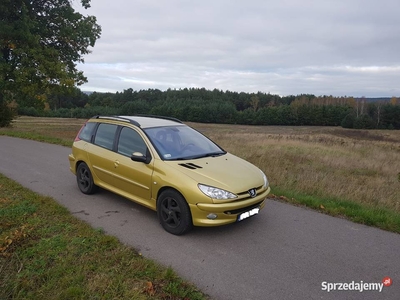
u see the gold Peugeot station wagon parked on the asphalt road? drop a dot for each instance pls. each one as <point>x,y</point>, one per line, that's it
<point>169,167</point>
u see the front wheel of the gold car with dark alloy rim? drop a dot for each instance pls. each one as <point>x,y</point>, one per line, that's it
<point>174,213</point>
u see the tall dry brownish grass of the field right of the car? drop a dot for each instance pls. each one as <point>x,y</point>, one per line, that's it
<point>358,165</point>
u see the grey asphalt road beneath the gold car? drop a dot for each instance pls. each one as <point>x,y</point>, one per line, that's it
<point>285,252</point>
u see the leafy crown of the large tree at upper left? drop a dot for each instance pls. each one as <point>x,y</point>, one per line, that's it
<point>41,41</point>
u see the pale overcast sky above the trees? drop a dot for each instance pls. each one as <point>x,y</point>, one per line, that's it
<point>284,47</point>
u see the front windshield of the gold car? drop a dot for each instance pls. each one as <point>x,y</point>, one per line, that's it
<point>181,142</point>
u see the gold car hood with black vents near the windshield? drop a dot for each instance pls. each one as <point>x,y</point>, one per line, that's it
<point>227,172</point>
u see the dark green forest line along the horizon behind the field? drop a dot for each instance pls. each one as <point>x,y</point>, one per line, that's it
<point>217,106</point>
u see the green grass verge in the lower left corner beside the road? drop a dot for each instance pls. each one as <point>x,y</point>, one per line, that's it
<point>46,253</point>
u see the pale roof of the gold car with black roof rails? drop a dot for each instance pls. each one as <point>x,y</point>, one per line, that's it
<point>145,121</point>
